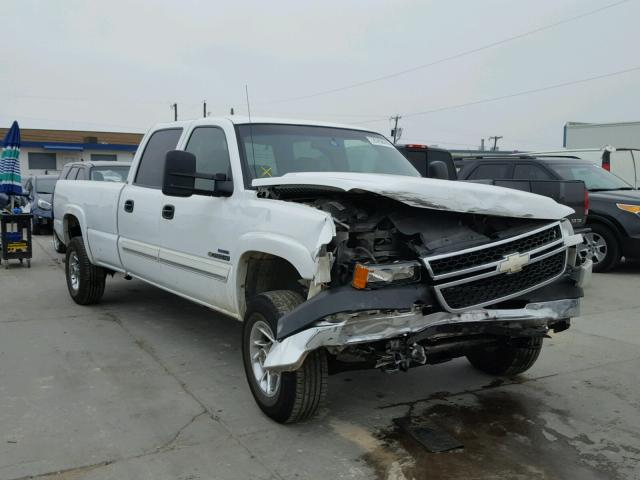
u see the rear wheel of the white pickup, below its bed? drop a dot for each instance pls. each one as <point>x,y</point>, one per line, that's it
<point>85,281</point>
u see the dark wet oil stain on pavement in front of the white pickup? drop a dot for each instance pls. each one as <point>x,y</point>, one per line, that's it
<point>506,435</point>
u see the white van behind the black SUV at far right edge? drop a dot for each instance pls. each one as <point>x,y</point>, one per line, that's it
<point>622,162</point>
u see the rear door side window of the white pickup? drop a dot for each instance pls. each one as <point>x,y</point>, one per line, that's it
<point>151,166</point>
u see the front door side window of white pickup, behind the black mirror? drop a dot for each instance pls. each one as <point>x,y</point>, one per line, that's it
<point>209,145</point>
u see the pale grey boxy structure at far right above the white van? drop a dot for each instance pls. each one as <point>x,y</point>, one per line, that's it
<point>598,135</point>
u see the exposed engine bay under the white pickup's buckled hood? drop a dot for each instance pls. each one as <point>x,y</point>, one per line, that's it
<point>374,229</point>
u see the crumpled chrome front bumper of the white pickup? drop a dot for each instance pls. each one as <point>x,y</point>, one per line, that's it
<point>348,329</point>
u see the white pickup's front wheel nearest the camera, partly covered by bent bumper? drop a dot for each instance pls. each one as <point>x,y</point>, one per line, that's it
<point>286,397</point>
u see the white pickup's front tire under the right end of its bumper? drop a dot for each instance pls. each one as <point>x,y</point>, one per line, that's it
<point>507,360</point>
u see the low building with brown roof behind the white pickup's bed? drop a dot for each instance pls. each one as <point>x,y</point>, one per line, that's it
<point>47,151</point>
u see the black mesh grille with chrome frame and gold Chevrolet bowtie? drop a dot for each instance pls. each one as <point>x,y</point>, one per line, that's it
<point>500,270</point>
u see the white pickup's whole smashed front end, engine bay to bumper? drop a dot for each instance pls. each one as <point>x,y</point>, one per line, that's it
<point>411,286</point>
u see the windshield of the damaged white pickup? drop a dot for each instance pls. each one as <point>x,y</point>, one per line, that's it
<point>273,150</point>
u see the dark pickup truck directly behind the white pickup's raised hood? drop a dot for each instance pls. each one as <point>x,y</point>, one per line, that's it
<point>439,163</point>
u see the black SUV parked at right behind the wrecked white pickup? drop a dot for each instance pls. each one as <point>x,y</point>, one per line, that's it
<point>614,206</point>
